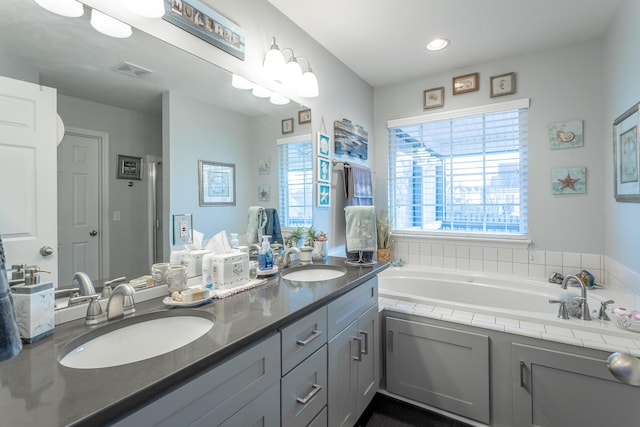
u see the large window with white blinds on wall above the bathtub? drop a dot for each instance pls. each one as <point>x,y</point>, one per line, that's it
<point>460,172</point>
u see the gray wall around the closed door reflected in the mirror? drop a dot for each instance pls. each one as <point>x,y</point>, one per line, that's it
<point>130,133</point>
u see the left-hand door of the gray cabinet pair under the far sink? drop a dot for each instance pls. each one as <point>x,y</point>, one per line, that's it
<point>343,378</point>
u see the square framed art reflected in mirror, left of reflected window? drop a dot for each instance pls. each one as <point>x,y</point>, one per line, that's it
<point>217,182</point>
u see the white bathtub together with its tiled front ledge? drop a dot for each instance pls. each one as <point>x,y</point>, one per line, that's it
<point>504,303</point>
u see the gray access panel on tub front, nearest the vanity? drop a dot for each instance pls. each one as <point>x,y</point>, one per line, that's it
<point>443,367</point>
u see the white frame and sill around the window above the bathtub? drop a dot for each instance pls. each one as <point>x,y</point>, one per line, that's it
<point>444,115</point>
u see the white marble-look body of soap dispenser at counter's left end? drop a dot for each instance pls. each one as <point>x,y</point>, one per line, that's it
<point>34,310</point>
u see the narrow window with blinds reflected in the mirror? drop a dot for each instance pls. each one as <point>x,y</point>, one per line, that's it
<point>295,179</point>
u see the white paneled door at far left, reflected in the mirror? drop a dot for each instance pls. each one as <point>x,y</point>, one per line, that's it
<point>28,194</point>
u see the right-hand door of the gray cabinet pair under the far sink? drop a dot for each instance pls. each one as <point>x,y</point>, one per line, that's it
<point>368,369</point>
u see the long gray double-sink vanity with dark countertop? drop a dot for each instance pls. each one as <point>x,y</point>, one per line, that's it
<point>282,348</point>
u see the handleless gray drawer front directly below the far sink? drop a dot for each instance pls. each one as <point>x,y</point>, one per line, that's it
<point>347,308</point>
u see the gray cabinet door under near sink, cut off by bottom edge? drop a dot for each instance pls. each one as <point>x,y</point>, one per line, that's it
<point>263,411</point>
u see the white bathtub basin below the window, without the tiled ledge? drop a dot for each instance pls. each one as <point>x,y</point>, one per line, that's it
<point>497,295</point>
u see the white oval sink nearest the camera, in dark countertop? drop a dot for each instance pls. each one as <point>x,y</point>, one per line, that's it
<point>135,339</point>
